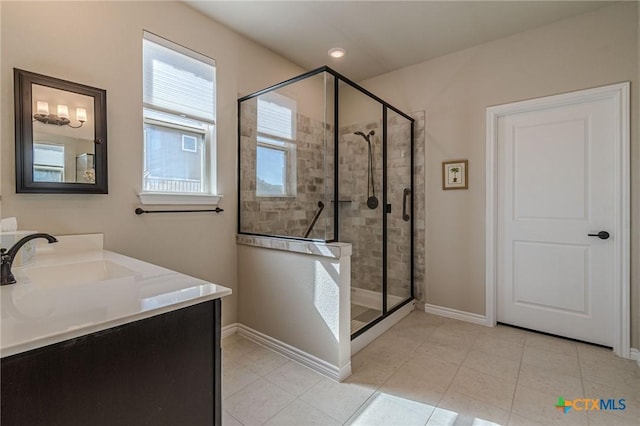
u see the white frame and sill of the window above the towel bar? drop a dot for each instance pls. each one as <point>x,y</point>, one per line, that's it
<point>209,196</point>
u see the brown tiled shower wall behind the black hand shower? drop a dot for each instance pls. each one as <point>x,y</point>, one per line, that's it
<point>361,226</point>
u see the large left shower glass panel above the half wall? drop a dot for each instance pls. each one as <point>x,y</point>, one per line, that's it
<point>286,155</point>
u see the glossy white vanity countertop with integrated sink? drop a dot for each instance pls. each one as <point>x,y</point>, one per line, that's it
<point>42,309</point>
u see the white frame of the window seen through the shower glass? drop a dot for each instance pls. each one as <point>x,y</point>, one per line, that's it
<point>285,145</point>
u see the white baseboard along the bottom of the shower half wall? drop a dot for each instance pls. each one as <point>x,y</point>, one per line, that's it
<point>316,364</point>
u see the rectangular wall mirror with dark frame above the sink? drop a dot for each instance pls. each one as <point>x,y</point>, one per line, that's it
<point>61,136</point>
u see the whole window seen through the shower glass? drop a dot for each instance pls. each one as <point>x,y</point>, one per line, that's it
<point>276,150</point>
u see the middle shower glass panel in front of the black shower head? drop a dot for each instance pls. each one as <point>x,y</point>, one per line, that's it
<point>360,208</point>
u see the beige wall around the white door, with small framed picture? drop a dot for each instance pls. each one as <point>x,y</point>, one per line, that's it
<point>590,50</point>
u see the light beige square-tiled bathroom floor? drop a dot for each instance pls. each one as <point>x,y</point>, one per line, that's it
<point>429,370</point>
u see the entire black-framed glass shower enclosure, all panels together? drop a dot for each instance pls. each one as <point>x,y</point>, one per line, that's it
<point>320,158</point>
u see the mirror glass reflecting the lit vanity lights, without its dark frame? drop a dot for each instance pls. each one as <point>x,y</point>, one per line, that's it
<point>63,142</point>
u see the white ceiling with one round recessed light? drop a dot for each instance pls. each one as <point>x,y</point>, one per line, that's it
<point>382,36</point>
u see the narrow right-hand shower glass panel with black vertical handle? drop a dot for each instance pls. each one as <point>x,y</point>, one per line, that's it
<point>399,219</point>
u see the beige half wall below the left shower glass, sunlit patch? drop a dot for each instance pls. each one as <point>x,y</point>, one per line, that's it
<point>299,299</point>
